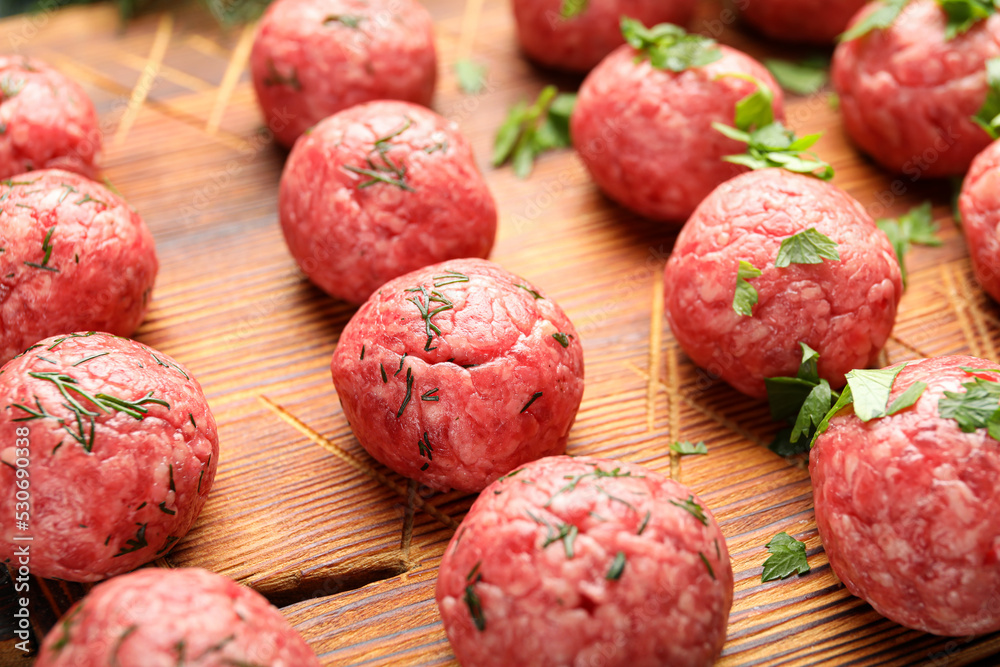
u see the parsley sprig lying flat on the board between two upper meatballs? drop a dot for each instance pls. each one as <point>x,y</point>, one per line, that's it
<point>529,131</point>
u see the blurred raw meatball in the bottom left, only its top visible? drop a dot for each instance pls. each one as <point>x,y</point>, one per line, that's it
<point>171,618</point>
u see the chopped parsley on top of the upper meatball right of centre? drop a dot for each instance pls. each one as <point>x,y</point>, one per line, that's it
<point>669,47</point>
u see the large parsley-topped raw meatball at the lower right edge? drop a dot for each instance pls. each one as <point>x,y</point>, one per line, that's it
<point>906,506</point>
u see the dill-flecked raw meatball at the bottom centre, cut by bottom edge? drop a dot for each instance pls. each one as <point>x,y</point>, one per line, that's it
<point>584,561</point>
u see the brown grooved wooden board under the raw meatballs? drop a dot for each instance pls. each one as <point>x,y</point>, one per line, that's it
<point>302,514</point>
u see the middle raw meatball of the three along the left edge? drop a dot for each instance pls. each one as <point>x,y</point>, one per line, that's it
<point>75,256</point>
